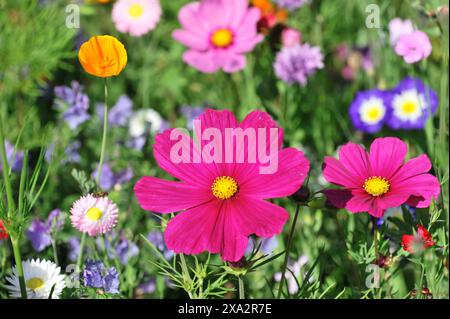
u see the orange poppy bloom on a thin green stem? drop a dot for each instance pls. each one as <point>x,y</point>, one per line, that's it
<point>103,56</point>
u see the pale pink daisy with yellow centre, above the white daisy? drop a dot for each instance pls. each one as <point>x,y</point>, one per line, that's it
<point>94,215</point>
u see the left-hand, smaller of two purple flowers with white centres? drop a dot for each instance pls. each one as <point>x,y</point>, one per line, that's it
<point>368,110</point>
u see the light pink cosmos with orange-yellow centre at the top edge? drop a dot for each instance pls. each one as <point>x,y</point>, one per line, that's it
<point>218,33</point>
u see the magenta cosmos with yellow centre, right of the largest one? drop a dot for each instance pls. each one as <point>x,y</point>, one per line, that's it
<point>379,180</point>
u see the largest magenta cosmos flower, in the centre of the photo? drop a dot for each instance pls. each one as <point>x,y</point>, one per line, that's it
<point>222,204</point>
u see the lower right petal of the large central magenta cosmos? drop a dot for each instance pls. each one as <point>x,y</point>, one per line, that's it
<point>255,216</point>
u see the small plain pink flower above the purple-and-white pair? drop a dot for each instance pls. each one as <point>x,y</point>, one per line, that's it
<point>413,47</point>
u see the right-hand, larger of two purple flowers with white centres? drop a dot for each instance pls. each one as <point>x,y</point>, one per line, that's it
<point>410,104</point>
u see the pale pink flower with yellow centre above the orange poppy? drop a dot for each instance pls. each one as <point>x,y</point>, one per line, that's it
<point>136,17</point>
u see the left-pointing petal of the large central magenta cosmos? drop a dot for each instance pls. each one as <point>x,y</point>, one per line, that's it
<point>163,196</point>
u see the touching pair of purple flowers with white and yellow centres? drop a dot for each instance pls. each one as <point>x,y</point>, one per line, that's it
<point>407,106</point>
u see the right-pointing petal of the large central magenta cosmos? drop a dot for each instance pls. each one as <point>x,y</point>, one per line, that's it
<point>292,170</point>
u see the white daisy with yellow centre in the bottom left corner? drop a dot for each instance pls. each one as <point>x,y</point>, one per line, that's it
<point>40,276</point>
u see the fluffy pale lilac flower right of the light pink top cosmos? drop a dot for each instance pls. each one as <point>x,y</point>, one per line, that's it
<point>297,63</point>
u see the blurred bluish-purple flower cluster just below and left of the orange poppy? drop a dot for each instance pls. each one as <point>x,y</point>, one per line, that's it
<point>74,104</point>
